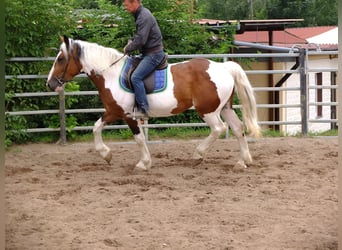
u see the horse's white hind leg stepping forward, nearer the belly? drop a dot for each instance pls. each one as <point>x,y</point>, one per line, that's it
<point>217,127</point>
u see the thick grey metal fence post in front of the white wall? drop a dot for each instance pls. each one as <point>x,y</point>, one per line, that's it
<point>303,90</point>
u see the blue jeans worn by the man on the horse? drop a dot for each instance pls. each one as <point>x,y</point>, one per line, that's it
<point>146,66</point>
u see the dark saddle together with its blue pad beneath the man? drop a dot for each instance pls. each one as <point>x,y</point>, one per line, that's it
<point>154,81</point>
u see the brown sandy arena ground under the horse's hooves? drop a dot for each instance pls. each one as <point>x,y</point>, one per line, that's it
<point>67,197</point>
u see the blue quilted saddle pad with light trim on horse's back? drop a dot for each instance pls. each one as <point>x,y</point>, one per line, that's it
<point>159,77</point>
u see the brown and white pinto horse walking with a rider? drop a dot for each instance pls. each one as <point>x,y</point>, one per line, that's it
<point>199,83</point>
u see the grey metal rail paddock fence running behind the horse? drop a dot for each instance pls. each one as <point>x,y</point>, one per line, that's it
<point>301,56</point>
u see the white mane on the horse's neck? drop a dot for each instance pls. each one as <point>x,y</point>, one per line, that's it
<point>96,57</point>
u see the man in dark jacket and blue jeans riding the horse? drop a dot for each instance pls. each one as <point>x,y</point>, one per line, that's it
<point>148,40</point>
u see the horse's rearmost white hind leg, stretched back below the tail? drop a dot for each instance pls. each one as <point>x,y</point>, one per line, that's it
<point>236,125</point>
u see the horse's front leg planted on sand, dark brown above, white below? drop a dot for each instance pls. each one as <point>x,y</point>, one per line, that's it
<point>145,161</point>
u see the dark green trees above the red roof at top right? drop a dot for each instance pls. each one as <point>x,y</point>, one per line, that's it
<point>314,12</point>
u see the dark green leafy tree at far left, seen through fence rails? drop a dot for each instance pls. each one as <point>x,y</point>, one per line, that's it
<point>30,28</point>
